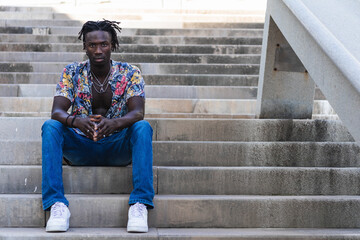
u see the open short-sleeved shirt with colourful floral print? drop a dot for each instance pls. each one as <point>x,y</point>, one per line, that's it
<point>75,84</point>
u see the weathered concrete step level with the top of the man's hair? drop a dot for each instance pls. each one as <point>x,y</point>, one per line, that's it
<point>49,27</point>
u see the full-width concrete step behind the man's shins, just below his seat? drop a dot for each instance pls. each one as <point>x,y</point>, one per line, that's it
<point>192,180</point>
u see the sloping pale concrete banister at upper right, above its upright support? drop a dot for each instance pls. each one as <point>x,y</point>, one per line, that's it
<point>314,32</point>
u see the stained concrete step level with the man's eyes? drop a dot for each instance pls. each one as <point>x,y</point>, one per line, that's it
<point>134,48</point>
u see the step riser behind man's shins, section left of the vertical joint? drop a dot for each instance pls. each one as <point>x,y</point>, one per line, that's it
<point>83,180</point>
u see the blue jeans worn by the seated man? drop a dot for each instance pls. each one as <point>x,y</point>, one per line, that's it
<point>131,145</point>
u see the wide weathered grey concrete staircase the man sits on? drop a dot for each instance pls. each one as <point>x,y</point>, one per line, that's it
<point>218,173</point>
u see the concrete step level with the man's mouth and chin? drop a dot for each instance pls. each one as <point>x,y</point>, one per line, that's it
<point>132,57</point>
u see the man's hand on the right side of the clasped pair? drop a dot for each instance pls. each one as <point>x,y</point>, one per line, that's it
<point>103,126</point>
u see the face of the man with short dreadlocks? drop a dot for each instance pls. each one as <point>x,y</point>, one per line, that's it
<point>98,47</point>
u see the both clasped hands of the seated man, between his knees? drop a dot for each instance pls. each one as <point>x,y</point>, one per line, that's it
<point>96,127</point>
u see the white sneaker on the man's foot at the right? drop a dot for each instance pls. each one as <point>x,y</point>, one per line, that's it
<point>137,221</point>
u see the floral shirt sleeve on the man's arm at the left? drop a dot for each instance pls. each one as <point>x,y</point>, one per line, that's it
<point>65,87</point>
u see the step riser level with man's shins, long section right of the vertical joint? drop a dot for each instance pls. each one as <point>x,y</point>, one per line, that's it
<point>258,181</point>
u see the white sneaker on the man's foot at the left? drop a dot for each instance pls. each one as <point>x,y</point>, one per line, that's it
<point>59,218</point>
